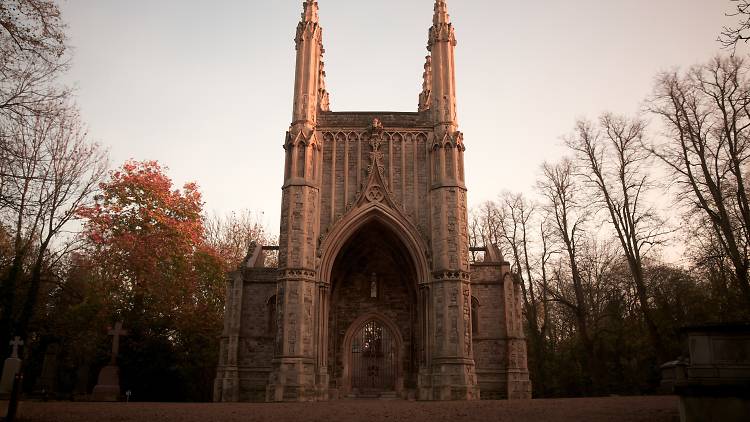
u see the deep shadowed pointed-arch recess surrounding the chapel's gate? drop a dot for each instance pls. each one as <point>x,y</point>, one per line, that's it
<point>373,318</point>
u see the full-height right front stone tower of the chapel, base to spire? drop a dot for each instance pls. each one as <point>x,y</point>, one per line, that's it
<point>452,361</point>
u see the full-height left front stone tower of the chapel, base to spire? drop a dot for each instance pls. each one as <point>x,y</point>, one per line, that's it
<point>294,373</point>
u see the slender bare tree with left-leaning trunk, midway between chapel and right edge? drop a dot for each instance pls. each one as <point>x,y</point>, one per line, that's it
<point>615,165</point>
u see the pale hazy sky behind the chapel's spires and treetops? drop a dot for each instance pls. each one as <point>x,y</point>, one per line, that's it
<point>205,87</point>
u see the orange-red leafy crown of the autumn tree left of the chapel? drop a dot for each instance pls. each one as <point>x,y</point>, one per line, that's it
<point>147,242</point>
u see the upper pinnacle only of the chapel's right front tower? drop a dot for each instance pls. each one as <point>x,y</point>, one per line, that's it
<point>442,42</point>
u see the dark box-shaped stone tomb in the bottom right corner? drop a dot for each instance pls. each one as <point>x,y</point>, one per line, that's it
<point>714,381</point>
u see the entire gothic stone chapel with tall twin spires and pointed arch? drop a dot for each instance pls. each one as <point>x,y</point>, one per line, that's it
<point>374,294</point>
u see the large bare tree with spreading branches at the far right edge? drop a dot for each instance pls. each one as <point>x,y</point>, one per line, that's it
<point>707,114</point>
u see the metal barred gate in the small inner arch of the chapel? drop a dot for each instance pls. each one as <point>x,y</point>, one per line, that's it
<point>374,358</point>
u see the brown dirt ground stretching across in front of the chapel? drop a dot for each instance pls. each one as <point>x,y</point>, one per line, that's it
<point>609,409</point>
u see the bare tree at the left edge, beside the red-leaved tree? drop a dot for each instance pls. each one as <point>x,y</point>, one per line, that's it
<point>52,169</point>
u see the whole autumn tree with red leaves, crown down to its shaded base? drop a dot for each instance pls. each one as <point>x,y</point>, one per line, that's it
<point>149,260</point>
